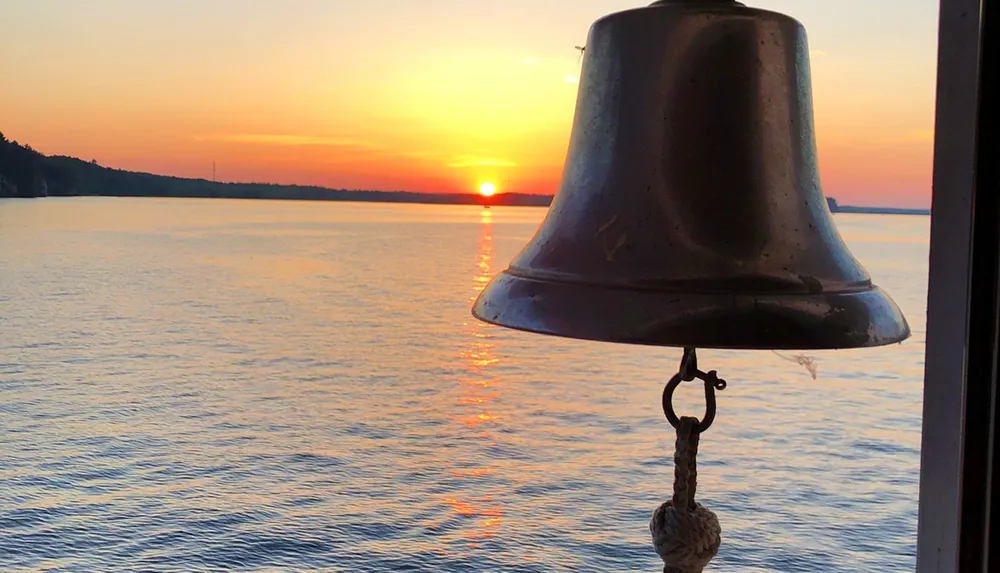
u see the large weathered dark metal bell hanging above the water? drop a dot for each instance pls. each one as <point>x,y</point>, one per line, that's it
<point>690,211</point>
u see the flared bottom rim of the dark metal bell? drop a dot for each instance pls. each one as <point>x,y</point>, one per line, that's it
<point>864,319</point>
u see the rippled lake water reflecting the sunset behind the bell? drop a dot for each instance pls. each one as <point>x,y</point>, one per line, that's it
<point>269,386</point>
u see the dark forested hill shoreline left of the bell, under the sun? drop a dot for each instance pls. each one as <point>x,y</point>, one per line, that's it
<point>25,172</point>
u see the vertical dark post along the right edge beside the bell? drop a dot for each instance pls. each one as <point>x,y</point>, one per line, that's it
<point>959,513</point>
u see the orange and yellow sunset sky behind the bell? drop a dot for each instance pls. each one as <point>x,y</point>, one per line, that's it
<point>422,95</point>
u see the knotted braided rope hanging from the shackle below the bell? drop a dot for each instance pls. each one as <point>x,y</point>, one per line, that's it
<point>686,535</point>
